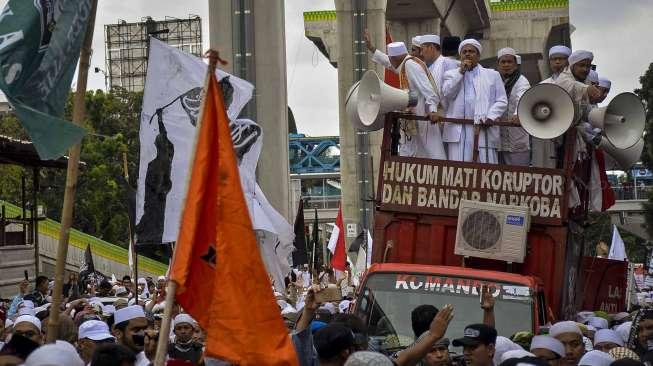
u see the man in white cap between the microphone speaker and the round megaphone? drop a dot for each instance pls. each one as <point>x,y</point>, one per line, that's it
<point>515,141</point>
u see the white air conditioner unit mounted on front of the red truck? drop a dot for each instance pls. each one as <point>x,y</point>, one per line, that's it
<point>492,231</point>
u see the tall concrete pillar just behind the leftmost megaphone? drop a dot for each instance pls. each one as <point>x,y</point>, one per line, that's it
<point>349,174</point>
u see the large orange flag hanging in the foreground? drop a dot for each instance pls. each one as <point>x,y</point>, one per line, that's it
<point>219,272</point>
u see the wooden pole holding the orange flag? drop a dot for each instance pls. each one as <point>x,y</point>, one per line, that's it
<point>171,289</point>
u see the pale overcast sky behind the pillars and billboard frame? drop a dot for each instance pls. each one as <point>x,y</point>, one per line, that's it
<point>606,27</point>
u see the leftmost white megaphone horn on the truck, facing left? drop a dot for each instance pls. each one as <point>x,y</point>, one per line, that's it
<point>370,99</point>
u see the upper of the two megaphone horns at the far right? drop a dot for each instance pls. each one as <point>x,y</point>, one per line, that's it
<point>622,121</point>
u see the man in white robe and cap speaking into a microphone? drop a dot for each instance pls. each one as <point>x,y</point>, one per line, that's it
<point>477,93</point>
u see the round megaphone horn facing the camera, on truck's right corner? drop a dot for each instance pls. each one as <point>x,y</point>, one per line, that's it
<point>546,111</point>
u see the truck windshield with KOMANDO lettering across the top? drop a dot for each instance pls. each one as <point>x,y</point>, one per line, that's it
<point>387,300</point>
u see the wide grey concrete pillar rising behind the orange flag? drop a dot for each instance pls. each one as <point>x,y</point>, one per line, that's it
<point>270,93</point>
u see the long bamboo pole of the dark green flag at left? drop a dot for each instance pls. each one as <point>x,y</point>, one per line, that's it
<point>71,178</point>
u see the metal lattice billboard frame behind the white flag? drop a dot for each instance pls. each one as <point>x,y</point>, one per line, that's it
<point>127,46</point>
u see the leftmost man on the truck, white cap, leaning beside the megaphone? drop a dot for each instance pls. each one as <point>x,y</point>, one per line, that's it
<point>414,76</point>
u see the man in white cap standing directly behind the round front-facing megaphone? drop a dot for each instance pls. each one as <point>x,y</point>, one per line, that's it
<point>544,152</point>
